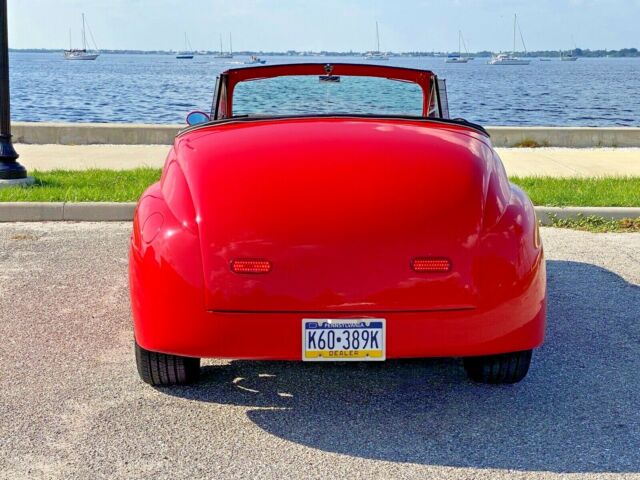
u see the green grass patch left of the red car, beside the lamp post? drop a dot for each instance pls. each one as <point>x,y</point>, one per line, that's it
<point>83,186</point>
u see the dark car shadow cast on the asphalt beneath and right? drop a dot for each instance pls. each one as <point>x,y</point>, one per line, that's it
<point>577,411</point>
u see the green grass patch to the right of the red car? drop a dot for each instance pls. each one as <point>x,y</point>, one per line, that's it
<point>581,192</point>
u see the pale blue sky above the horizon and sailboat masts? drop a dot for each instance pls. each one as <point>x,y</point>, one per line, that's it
<point>333,25</point>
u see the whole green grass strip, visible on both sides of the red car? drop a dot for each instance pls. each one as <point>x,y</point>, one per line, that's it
<point>128,185</point>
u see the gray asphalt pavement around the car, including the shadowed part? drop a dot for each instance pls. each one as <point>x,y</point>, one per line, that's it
<point>72,405</point>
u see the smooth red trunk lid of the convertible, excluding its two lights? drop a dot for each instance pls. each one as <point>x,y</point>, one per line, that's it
<point>339,207</point>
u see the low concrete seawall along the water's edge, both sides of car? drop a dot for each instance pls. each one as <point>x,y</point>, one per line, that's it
<point>44,133</point>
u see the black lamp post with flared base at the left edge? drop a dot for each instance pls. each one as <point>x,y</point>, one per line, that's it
<point>10,169</point>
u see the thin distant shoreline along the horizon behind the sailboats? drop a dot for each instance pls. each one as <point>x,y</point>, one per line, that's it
<point>622,53</point>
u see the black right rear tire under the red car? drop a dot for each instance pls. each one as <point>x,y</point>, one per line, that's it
<point>496,369</point>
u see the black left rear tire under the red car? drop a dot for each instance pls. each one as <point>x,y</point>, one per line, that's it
<point>163,370</point>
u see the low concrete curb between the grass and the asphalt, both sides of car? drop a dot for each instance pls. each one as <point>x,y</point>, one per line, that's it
<point>123,212</point>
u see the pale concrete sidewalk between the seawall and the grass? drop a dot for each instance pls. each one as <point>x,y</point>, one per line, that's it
<point>557,162</point>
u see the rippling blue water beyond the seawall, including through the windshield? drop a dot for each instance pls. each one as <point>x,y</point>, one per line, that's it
<point>161,89</point>
